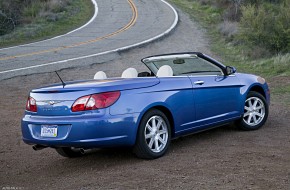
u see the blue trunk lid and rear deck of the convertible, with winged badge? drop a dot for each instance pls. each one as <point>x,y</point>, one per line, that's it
<point>56,100</point>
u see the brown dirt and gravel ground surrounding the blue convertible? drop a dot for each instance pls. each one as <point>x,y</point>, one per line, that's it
<point>223,158</point>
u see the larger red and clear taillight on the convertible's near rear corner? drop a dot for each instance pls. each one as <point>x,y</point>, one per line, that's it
<point>95,101</point>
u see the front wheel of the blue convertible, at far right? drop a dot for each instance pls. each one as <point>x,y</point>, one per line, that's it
<point>256,111</point>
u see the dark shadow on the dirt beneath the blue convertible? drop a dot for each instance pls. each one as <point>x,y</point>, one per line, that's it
<point>109,158</point>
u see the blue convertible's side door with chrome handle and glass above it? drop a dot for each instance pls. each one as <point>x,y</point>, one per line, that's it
<point>216,95</point>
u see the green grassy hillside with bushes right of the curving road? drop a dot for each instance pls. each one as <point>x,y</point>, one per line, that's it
<point>253,36</point>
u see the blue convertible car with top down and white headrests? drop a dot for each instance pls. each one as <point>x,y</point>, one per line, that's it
<point>183,93</point>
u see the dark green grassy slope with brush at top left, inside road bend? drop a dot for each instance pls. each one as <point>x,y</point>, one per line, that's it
<point>23,21</point>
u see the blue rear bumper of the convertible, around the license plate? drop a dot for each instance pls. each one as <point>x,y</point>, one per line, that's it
<point>84,131</point>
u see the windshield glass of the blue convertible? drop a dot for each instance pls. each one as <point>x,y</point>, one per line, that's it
<point>185,66</point>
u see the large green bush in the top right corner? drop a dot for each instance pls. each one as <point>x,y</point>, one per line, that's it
<point>266,26</point>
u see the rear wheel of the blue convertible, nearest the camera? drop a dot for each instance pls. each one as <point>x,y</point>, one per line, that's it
<point>154,135</point>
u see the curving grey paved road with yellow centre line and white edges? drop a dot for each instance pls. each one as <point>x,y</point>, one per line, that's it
<point>118,25</point>
